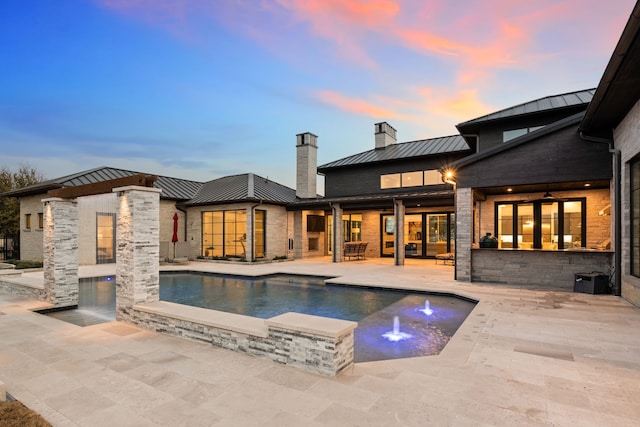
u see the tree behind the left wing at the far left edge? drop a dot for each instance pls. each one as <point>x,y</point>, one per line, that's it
<point>10,206</point>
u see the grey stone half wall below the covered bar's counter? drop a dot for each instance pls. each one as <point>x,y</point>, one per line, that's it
<point>537,269</point>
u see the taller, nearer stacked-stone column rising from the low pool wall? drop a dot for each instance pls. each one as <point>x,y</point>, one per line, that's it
<point>138,248</point>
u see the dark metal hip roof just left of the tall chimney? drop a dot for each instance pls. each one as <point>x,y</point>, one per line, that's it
<point>245,187</point>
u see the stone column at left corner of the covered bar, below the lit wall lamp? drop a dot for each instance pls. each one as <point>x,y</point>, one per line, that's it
<point>464,233</point>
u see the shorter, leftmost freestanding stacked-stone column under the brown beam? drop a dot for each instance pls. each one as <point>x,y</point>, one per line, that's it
<point>60,245</point>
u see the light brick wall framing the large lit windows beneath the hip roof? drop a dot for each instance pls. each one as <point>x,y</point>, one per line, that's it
<point>277,224</point>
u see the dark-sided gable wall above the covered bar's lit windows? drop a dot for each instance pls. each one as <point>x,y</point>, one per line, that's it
<point>559,157</point>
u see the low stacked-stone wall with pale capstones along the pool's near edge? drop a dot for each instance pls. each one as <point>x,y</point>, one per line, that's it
<point>287,339</point>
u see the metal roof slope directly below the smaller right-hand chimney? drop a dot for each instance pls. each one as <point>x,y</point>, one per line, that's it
<point>424,147</point>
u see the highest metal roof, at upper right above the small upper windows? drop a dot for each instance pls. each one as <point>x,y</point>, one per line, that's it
<point>571,99</point>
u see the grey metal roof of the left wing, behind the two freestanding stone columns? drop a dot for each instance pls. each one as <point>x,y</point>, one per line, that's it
<point>172,188</point>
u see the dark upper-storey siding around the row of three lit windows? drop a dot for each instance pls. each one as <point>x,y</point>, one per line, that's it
<point>365,179</point>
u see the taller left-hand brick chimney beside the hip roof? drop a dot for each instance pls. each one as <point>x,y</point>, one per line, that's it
<point>306,165</point>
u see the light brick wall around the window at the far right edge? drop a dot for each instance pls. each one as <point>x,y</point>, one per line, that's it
<point>627,141</point>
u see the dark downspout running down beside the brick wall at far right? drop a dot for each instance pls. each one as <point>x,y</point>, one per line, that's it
<point>617,206</point>
